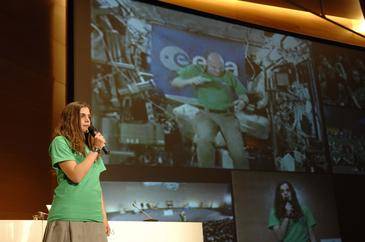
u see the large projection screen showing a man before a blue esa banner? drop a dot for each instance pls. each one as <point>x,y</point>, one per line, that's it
<point>148,71</point>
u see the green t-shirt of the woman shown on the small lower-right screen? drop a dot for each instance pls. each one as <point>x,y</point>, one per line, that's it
<point>297,230</point>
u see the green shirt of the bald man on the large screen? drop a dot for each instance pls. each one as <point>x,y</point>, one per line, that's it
<point>219,93</point>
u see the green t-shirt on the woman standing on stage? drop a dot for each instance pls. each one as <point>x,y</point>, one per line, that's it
<point>75,202</point>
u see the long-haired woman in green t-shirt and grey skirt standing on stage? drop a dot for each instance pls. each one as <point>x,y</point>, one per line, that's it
<point>78,212</point>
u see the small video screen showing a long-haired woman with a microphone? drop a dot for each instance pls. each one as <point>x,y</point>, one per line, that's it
<point>284,207</point>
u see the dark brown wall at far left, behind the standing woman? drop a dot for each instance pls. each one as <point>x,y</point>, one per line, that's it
<point>26,108</point>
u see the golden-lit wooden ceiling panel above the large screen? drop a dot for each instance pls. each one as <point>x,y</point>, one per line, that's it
<point>281,18</point>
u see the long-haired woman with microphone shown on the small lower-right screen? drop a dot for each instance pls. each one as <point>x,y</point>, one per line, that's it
<point>290,221</point>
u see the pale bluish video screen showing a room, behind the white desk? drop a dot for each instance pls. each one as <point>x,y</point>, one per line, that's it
<point>209,203</point>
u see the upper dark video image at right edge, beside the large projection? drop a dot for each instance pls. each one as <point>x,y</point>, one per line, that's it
<point>341,75</point>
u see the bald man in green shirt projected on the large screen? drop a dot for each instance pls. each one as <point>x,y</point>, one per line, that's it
<point>219,96</point>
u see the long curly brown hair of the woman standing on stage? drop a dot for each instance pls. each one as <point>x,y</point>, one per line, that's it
<point>69,126</point>
